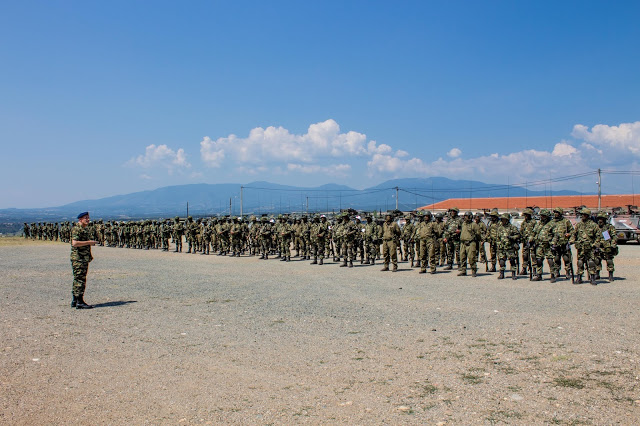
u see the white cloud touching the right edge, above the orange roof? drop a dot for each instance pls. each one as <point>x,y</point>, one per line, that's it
<point>625,137</point>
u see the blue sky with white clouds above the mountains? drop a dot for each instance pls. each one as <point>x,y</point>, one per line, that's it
<point>106,98</point>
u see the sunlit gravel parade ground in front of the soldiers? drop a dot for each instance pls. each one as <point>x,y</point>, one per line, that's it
<point>192,339</point>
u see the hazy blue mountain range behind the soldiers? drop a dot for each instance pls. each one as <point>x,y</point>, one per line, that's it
<point>264,197</point>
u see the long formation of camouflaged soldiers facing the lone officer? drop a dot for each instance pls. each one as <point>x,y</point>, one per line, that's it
<point>426,241</point>
